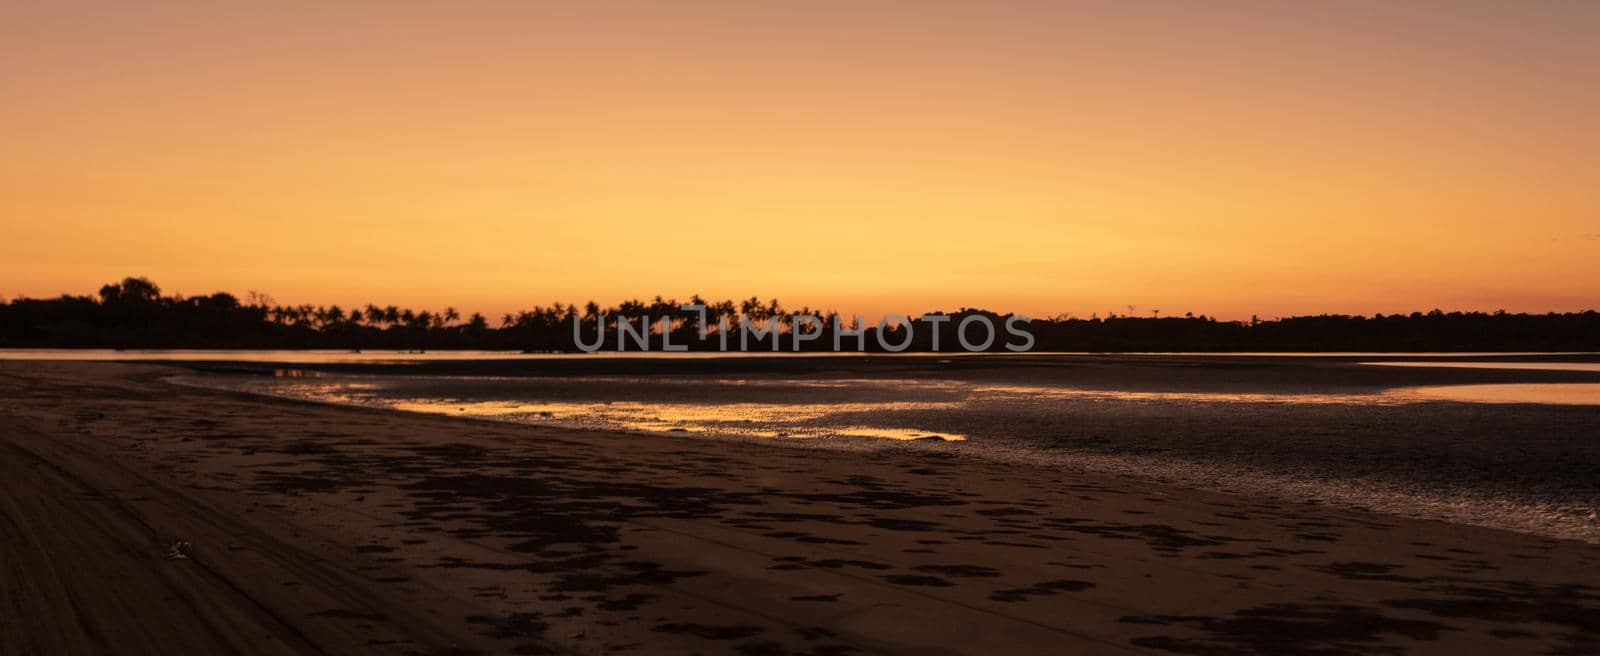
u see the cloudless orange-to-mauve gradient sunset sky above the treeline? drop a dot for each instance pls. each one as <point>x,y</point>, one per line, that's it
<point>1039,158</point>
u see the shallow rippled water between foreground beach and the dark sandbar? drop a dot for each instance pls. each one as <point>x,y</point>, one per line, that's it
<point>1529,466</point>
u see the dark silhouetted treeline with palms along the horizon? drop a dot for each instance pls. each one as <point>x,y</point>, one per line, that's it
<point>134,314</point>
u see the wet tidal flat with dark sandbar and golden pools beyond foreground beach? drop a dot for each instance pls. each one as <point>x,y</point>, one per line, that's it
<point>1326,430</point>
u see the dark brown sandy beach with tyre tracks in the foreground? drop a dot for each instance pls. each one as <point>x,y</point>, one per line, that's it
<point>318,529</point>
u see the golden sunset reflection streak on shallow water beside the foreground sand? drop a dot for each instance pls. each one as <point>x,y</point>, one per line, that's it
<point>881,414</point>
